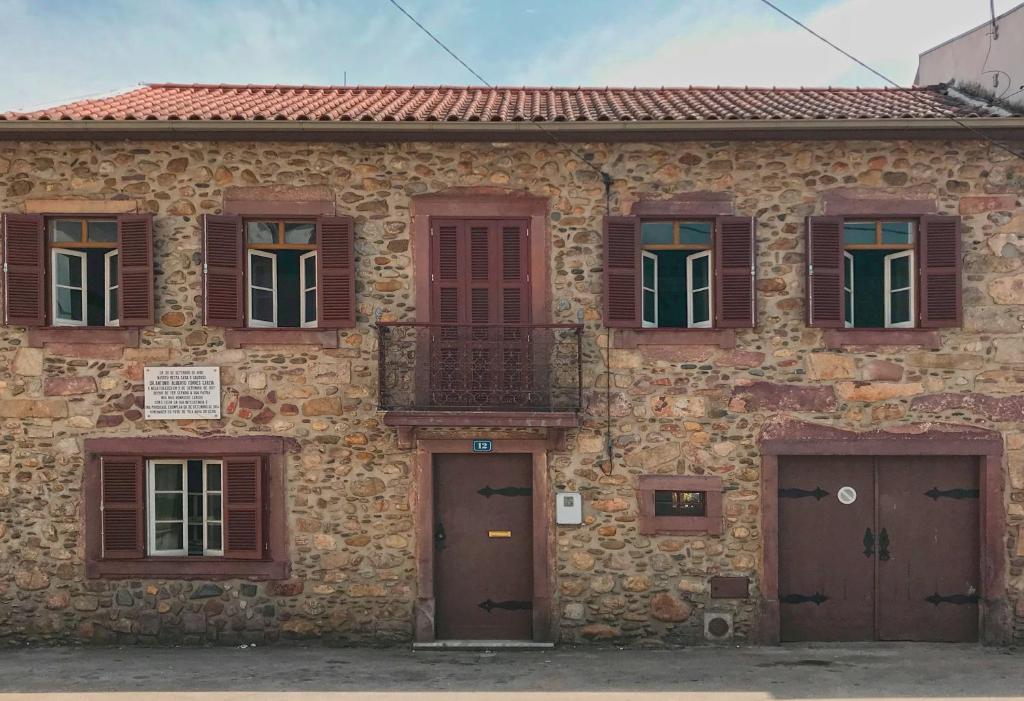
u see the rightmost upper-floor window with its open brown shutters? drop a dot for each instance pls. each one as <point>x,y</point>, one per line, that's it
<point>884,274</point>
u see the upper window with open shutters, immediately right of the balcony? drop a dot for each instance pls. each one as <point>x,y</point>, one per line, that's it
<point>679,274</point>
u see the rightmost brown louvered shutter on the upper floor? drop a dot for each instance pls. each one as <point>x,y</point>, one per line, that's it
<point>942,296</point>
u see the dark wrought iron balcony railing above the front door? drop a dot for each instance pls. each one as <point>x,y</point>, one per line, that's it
<point>481,368</point>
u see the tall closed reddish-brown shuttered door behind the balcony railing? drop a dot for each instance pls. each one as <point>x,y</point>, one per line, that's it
<point>481,346</point>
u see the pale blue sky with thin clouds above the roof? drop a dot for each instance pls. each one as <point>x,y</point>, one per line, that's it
<point>56,52</point>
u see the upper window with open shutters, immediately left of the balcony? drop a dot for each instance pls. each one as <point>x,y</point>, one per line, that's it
<point>279,274</point>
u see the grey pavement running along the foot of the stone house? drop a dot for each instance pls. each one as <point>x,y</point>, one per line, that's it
<point>862,672</point>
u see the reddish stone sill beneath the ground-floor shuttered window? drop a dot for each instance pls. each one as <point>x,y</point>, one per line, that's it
<point>188,568</point>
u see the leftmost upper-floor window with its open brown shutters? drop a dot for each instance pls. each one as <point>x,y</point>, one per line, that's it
<point>78,272</point>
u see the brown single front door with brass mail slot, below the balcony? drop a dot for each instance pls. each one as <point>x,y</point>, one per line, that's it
<point>484,546</point>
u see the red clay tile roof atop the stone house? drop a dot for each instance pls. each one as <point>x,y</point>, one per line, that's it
<point>444,104</point>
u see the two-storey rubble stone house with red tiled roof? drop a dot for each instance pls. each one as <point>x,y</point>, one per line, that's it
<point>771,341</point>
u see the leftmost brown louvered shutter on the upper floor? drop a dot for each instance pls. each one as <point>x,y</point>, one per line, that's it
<point>25,271</point>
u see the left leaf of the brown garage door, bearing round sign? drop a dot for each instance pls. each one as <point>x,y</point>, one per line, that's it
<point>827,582</point>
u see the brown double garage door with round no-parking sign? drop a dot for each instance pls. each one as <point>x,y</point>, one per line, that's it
<point>879,549</point>
